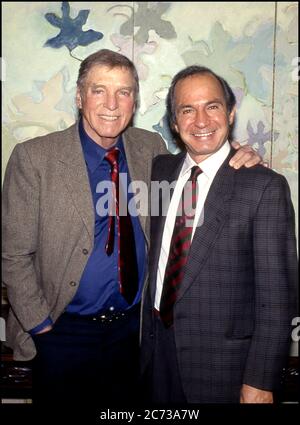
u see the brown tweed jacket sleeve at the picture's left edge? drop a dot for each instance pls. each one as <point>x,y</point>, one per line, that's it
<point>20,239</point>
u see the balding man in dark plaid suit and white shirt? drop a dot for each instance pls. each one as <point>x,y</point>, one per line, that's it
<point>221,295</point>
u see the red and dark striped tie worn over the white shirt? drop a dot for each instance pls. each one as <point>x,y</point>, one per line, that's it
<point>179,247</point>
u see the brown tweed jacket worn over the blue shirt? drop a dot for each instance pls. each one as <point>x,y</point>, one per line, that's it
<point>48,224</point>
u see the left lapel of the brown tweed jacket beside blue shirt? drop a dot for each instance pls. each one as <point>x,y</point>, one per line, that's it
<point>74,174</point>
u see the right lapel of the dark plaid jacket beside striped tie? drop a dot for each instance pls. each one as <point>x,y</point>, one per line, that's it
<point>216,213</point>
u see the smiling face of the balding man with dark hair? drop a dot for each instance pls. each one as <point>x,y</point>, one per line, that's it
<point>202,118</point>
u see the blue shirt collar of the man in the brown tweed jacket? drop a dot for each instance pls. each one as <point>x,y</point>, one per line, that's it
<point>94,153</point>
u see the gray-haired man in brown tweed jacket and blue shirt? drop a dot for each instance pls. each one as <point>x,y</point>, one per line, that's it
<point>64,264</point>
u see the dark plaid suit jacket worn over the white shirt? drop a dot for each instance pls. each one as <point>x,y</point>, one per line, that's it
<point>232,317</point>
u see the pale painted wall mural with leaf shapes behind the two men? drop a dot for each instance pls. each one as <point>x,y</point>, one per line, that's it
<point>254,46</point>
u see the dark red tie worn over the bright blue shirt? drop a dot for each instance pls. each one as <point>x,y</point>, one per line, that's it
<point>127,262</point>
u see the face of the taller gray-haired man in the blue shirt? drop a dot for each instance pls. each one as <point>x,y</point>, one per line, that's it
<point>107,103</point>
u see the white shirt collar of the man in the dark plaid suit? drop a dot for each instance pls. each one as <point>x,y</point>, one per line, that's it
<point>210,165</point>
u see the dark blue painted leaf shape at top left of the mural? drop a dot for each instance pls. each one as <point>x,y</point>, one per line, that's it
<point>71,34</point>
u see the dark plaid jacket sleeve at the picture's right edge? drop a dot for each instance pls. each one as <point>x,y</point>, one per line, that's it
<point>275,270</point>
